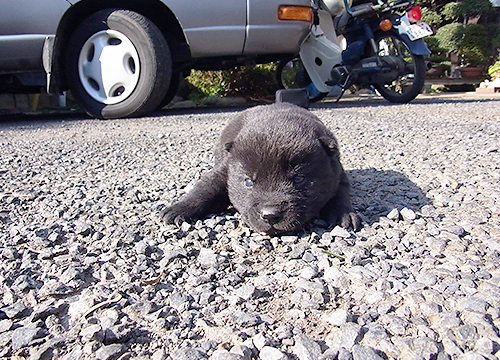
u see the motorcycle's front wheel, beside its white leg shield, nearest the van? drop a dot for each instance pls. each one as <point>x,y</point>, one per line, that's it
<point>291,74</point>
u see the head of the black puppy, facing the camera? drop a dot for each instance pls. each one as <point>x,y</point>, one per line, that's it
<point>282,169</point>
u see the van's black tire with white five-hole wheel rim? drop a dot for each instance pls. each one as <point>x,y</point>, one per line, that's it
<point>118,64</point>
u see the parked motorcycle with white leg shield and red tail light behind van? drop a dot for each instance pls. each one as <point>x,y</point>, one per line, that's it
<point>367,45</point>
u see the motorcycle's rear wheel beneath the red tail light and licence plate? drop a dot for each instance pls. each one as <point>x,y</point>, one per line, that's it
<point>408,85</point>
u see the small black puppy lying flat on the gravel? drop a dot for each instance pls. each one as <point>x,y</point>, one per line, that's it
<point>279,166</point>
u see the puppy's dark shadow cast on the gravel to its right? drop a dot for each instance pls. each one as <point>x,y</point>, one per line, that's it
<point>375,193</point>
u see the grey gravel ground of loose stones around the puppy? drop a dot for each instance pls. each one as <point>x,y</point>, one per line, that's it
<point>88,271</point>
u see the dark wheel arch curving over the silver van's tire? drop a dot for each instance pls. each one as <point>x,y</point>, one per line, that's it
<point>155,10</point>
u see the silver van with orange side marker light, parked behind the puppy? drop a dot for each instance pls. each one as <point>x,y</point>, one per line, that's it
<point>123,58</point>
